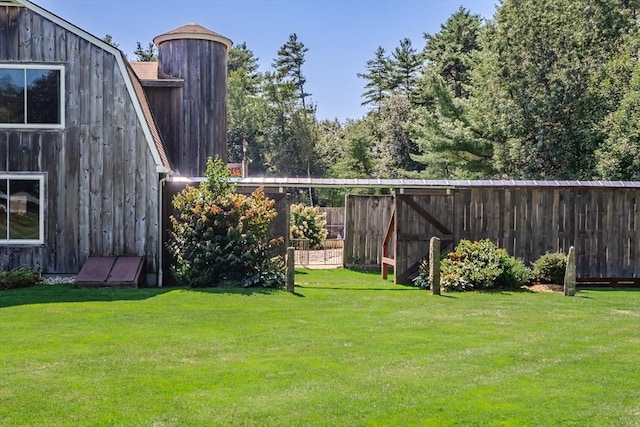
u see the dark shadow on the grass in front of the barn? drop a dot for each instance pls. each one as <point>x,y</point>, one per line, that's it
<point>45,294</point>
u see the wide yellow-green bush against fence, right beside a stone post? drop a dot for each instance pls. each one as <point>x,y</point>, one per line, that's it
<point>481,265</point>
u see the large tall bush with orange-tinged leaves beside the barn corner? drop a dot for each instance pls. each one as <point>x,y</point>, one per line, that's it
<point>221,237</point>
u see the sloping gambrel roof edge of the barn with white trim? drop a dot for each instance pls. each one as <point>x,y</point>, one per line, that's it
<point>143,111</point>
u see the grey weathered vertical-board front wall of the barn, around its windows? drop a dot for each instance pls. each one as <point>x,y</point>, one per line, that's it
<point>101,185</point>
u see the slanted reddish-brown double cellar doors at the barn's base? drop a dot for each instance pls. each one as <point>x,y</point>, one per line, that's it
<point>111,272</point>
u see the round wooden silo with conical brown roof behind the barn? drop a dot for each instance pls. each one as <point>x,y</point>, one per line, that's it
<point>199,57</point>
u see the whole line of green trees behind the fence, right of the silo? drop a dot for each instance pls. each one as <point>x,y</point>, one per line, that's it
<point>547,89</point>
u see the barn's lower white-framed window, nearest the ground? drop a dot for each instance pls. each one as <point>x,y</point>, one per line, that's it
<point>22,209</point>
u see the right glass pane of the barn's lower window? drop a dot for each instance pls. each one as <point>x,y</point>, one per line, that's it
<point>24,209</point>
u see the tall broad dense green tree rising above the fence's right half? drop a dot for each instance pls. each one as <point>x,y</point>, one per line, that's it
<point>547,53</point>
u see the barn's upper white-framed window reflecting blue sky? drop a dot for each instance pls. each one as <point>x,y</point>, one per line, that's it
<point>31,96</point>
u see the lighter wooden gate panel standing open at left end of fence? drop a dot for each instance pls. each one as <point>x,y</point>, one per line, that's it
<point>365,224</point>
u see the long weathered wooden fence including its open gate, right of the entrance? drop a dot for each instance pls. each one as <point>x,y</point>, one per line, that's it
<point>602,223</point>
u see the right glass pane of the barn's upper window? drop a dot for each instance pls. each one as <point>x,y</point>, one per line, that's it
<point>43,96</point>
